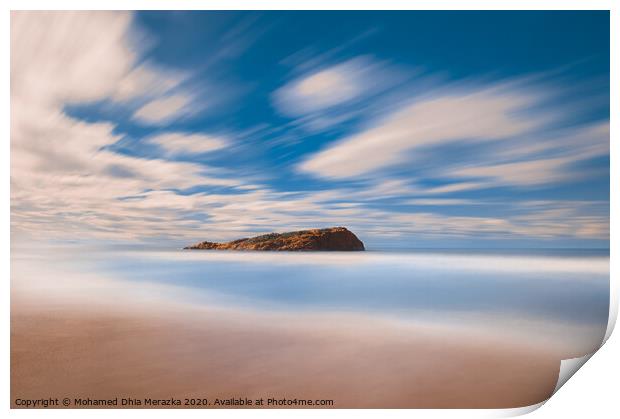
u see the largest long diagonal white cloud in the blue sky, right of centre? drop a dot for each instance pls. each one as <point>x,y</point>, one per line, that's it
<point>487,114</point>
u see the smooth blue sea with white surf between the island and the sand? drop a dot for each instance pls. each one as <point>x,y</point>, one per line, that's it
<point>564,292</point>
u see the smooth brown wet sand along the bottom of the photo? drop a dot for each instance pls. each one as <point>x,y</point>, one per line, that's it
<point>79,350</point>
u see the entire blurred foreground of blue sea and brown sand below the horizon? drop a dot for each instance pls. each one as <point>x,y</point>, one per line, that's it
<point>345,331</point>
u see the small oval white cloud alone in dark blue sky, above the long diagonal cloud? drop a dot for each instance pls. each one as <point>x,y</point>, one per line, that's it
<point>328,87</point>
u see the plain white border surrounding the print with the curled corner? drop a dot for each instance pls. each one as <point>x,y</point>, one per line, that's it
<point>594,391</point>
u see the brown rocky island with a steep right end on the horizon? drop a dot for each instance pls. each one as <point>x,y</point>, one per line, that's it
<point>334,239</point>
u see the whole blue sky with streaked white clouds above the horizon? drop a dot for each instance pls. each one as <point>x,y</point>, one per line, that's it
<point>412,129</point>
